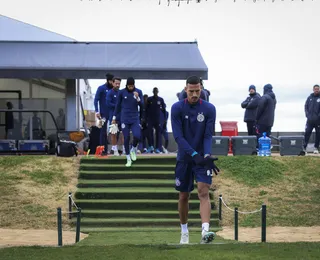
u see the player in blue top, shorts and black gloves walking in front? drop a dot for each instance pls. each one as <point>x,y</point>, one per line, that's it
<point>193,121</point>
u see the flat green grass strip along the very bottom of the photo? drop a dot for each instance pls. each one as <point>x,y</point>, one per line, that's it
<point>168,252</point>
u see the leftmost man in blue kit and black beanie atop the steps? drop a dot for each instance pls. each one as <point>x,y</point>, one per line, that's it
<point>102,111</point>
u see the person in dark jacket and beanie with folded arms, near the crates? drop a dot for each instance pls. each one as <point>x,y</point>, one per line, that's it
<point>251,105</point>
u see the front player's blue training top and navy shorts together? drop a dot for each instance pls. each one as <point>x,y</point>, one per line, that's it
<point>193,128</point>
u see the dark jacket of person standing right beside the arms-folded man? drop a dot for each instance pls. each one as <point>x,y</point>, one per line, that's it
<point>266,108</point>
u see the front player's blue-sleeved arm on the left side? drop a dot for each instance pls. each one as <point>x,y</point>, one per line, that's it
<point>177,130</point>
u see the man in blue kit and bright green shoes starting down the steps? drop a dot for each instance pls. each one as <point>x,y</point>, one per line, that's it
<point>129,101</point>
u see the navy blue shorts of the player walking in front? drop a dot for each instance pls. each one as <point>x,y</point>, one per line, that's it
<point>186,172</point>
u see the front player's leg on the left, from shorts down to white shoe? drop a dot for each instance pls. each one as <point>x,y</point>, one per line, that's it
<point>184,184</point>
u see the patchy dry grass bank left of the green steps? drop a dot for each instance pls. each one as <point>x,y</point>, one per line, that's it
<point>32,187</point>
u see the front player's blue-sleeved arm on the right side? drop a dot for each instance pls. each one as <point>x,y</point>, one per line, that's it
<point>209,130</point>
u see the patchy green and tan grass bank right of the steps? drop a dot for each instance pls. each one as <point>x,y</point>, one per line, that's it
<point>289,186</point>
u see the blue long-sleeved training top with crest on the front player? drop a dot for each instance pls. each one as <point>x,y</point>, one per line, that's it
<point>193,128</point>
